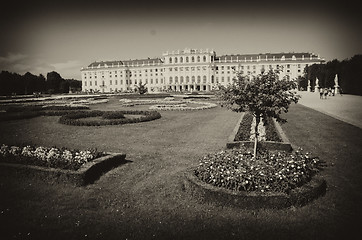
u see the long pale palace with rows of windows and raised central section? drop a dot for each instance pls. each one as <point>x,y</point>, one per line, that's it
<point>189,70</point>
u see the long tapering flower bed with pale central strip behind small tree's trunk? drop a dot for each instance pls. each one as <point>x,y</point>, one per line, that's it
<point>272,135</point>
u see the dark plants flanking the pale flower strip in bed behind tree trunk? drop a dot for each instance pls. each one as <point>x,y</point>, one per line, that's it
<point>243,133</point>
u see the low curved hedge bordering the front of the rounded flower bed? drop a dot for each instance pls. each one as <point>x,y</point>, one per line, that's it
<point>207,193</point>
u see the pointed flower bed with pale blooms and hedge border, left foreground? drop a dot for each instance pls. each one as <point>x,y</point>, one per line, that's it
<point>59,165</point>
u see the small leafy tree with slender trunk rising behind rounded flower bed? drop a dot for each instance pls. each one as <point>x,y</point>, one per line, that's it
<point>263,96</point>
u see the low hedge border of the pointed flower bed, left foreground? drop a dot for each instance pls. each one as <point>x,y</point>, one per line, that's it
<point>87,174</point>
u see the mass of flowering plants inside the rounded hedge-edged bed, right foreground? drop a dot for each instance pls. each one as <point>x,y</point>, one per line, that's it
<point>270,171</point>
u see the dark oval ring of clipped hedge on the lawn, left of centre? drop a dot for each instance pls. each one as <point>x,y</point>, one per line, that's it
<point>77,118</point>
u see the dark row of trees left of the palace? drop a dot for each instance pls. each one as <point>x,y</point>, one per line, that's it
<point>16,84</point>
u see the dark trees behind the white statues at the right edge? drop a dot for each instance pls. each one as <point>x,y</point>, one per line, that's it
<point>349,75</point>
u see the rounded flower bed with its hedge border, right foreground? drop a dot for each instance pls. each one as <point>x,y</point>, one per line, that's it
<point>274,179</point>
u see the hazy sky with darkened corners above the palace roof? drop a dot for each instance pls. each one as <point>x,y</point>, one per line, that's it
<point>42,37</point>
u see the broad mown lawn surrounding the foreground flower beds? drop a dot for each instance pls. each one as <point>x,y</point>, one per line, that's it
<point>145,199</point>
